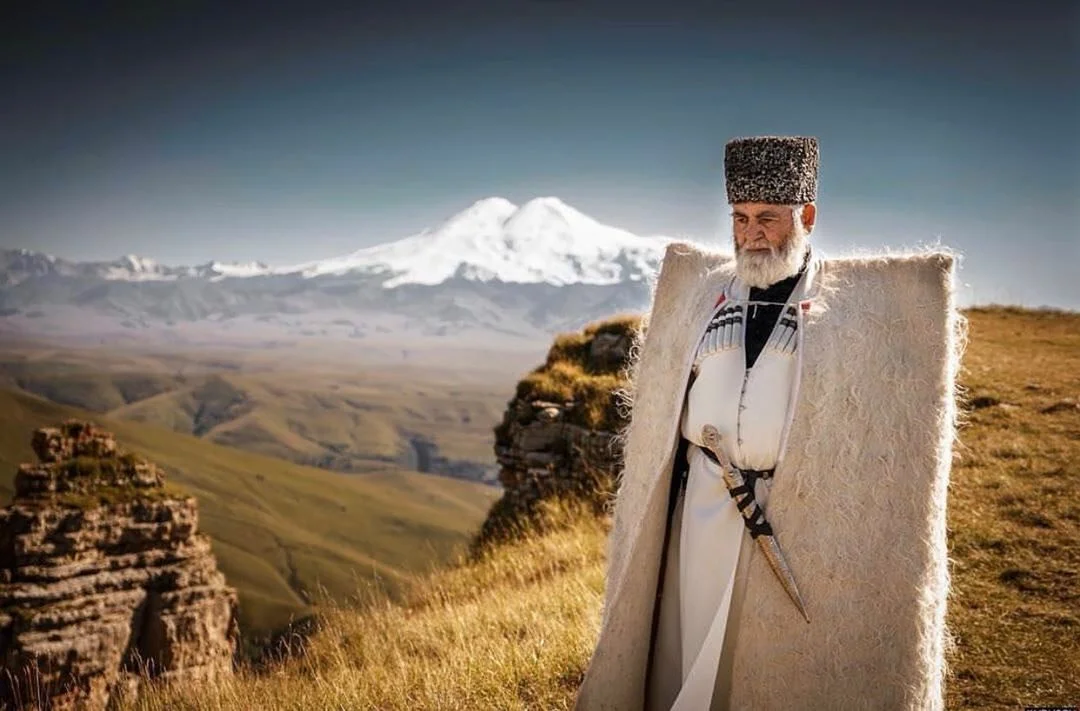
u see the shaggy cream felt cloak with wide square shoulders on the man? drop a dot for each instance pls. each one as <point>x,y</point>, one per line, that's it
<point>858,501</point>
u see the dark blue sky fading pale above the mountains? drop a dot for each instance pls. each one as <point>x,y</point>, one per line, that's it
<point>295,133</point>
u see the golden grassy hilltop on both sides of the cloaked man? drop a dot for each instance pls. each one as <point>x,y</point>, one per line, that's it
<point>515,632</point>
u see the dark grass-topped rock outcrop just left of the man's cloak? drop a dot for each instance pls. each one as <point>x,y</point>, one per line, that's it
<point>559,436</point>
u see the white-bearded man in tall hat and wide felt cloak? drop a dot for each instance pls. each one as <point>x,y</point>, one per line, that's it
<point>779,535</point>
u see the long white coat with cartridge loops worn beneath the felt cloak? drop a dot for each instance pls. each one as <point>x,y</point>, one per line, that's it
<point>751,410</point>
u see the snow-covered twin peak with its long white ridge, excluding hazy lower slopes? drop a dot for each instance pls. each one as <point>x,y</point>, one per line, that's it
<point>544,240</point>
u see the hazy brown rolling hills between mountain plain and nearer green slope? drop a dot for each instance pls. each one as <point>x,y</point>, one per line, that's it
<point>339,417</point>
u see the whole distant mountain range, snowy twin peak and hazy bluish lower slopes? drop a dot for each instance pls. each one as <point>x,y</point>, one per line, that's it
<point>495,271</point>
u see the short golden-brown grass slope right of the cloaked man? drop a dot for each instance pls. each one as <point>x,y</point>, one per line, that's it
<point>1015,515</point>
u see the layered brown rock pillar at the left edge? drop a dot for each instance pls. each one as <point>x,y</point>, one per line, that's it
<point>105,579</point>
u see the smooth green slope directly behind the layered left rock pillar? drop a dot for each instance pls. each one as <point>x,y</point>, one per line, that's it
<point>282,531</point>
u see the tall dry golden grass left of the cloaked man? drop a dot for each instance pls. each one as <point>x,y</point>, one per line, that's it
<point>512,630</point>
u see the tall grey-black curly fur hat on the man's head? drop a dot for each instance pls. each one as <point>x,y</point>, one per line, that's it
<point>778,170</point>
